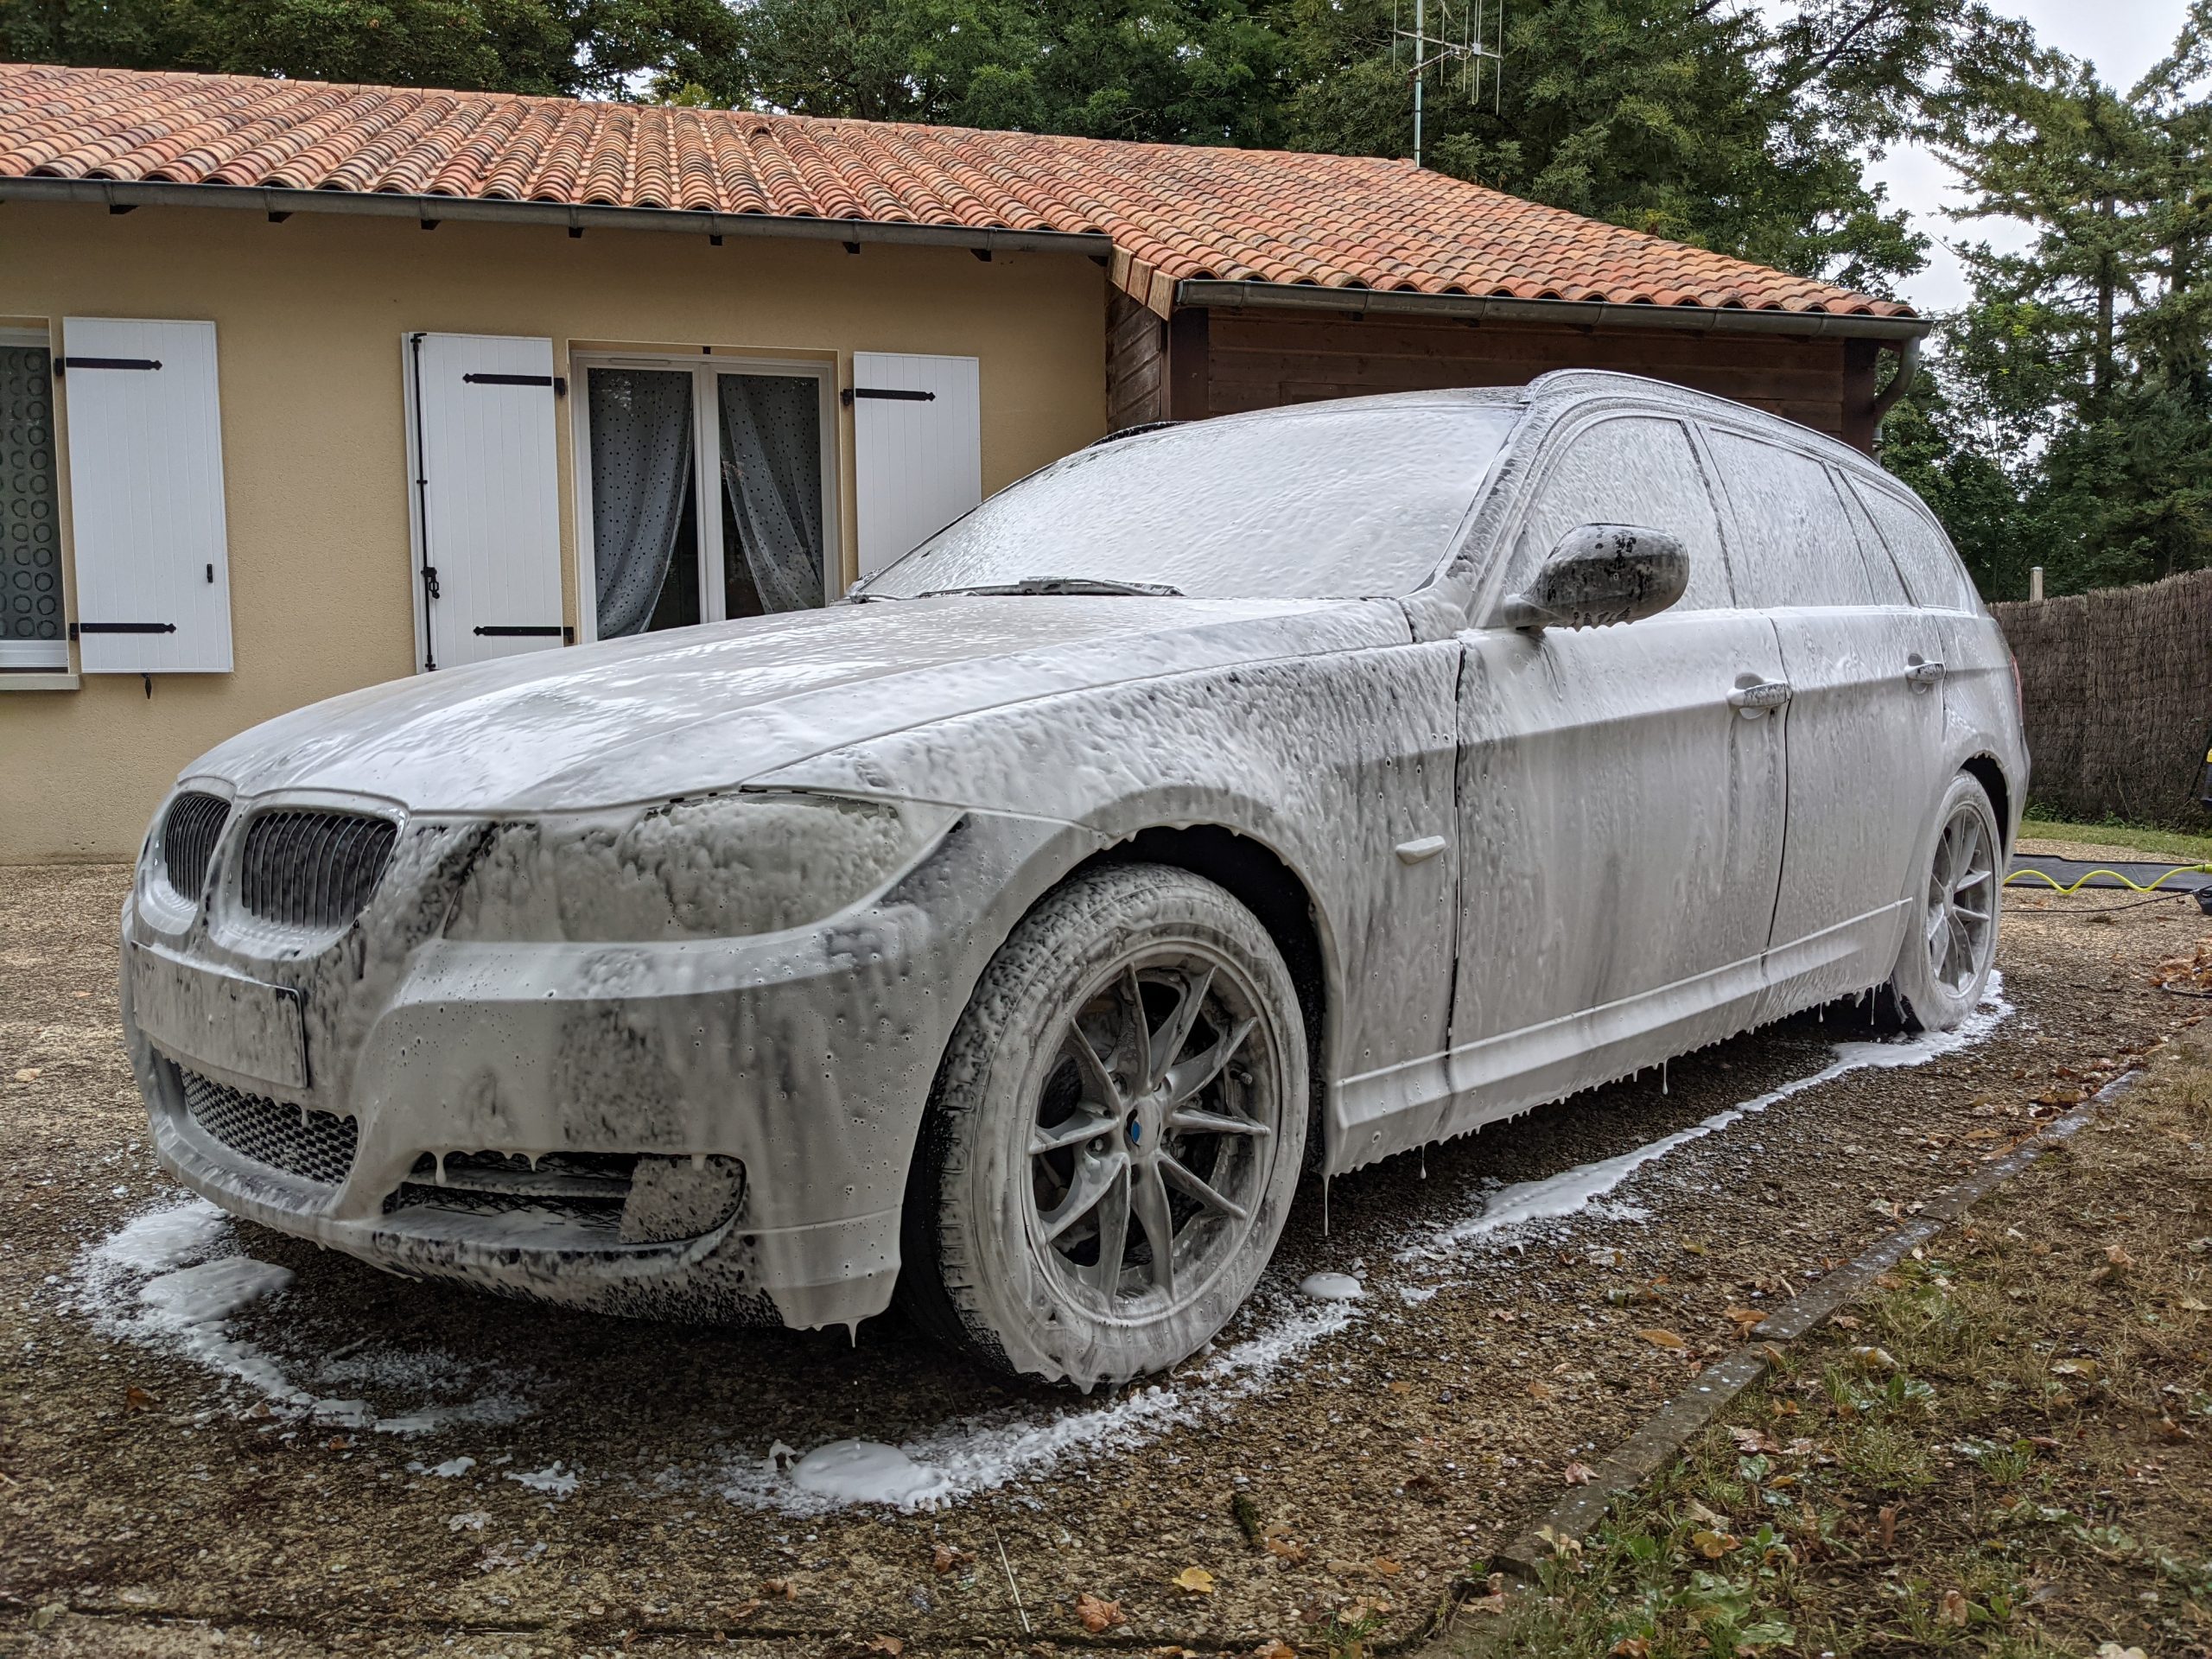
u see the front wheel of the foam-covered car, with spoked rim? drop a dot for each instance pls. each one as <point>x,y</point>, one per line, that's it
<point>1050,1134</point>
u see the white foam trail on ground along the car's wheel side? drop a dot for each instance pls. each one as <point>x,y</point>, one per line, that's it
<point>985,1454</point>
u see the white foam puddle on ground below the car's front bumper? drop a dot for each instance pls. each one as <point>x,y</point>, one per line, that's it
<point>171,1280</point>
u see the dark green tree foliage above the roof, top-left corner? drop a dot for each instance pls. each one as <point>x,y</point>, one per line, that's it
<point>567,48</point>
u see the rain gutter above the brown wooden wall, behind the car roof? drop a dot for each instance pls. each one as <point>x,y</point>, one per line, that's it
<point>1574,313</point>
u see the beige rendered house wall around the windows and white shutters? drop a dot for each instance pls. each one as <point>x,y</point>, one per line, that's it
<point>315,452</point>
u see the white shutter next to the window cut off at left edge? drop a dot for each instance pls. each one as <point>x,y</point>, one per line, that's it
<point>147,497</point>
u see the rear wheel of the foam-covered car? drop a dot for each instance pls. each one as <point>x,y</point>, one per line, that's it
<point>1952,943</point>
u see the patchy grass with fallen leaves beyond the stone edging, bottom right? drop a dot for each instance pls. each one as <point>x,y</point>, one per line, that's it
<point>2007,1450</point>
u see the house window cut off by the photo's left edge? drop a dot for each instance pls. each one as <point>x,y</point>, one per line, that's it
<point>34,632</point>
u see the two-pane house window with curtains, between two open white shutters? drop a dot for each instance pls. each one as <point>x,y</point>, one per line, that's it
<point>707,492</point>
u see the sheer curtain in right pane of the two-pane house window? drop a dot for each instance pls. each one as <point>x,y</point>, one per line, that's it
<point>773,470</point>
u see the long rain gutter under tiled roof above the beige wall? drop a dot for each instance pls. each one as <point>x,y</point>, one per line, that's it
<point>578,218</point>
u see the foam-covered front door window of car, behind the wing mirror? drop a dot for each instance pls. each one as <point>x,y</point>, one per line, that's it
<point>1631,470</point>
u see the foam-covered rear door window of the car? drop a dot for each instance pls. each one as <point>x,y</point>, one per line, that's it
<point>1795,541</point>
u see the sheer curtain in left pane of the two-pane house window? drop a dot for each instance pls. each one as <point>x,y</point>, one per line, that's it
<point>640,474</point>
